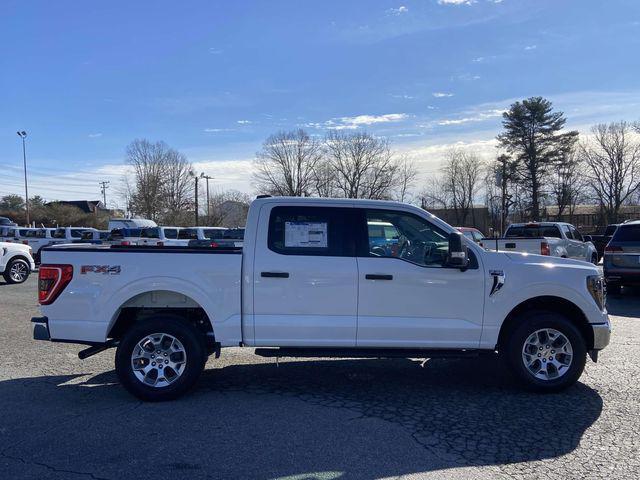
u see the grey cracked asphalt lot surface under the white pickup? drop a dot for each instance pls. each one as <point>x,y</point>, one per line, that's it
<point>61,417</point>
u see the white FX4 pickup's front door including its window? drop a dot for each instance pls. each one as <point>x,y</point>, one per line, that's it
<point>407,297</point>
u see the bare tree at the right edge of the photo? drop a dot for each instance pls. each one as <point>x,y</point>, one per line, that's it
<point>613,161</point>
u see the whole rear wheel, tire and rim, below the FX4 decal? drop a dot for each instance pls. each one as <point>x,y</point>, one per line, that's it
<point>160,359</point>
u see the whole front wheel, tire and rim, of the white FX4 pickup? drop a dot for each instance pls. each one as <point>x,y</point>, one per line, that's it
<point>546,352</point>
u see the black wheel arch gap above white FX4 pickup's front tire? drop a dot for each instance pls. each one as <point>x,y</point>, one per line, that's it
<point>548,303</point>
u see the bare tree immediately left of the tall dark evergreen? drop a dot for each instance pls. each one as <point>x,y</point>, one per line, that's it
<point>461,175</point>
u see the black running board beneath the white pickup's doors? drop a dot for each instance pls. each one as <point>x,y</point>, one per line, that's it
<point>366,352</point>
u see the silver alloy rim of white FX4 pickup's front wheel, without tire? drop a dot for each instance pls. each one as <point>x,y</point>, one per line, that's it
<point>547,354</point>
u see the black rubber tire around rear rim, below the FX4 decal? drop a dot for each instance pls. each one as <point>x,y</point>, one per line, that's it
<point>191,339</point>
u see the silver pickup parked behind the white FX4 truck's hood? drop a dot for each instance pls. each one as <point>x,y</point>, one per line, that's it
<point>556,239</point>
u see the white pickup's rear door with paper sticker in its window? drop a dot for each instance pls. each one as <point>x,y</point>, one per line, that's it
<point>305,277</point>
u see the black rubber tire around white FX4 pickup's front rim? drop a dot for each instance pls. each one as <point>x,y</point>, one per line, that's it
<point>530,322</point>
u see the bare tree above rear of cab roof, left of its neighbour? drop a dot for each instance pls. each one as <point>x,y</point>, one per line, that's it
<point>286,164</point>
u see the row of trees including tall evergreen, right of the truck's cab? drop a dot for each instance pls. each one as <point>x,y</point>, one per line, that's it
<point>540,164</point>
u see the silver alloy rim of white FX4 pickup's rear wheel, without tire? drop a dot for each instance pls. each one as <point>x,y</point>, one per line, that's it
<point>158,360</point>
